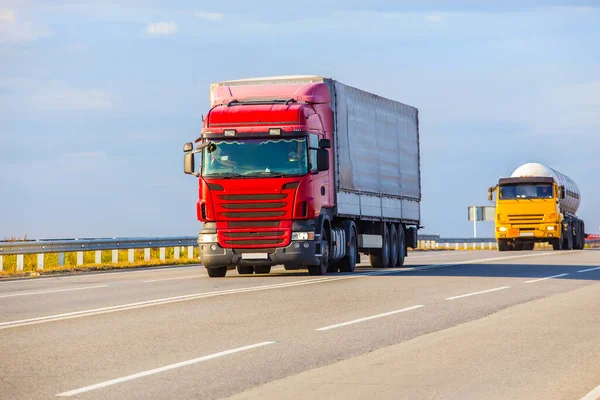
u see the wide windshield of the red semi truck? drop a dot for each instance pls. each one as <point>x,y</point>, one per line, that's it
<point>255,157</point>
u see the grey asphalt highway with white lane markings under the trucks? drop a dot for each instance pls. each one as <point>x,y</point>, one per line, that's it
<point>451,325</point>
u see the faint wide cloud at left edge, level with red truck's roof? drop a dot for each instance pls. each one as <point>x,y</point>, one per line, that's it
<point>24,95</point>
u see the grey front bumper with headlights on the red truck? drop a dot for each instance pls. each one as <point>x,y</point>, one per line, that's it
<point>213,255</point>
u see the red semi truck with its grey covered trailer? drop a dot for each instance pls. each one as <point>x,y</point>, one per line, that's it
<point>304,172</point>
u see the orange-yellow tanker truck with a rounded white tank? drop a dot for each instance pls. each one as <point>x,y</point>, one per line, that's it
<point>537,204</point>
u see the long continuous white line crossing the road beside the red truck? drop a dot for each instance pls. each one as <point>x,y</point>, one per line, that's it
<point>123,307</point>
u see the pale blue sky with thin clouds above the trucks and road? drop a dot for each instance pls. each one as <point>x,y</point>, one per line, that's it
<point>96,100</point>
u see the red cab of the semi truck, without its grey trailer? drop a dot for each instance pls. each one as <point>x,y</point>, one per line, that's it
<point>265,175</point>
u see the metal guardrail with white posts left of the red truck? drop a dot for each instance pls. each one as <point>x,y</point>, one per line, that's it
<point>62,246</point>
